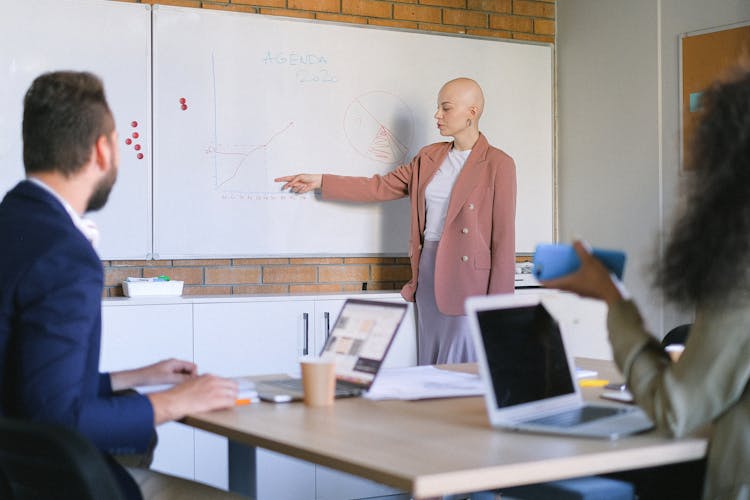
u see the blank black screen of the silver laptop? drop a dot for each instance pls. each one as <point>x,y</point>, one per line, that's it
<point>525,354</point>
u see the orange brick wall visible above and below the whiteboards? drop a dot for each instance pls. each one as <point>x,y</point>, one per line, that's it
<point>515,19</point>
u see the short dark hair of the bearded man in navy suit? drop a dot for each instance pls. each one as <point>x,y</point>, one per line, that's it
<point>64,113</point>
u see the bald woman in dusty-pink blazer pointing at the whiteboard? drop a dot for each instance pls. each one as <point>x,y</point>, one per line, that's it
<point>463,208</point>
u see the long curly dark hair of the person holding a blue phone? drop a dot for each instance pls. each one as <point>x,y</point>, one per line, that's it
<point>708,251</point>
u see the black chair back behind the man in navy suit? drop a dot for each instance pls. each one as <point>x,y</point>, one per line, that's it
<point>42,461</point>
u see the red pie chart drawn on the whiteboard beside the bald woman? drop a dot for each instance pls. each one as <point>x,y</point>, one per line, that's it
<point>380,126</point>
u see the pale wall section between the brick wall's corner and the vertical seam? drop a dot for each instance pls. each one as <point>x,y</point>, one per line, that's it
<point>608,180</point>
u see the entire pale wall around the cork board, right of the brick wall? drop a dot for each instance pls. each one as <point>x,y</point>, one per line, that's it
<point>618,142</point>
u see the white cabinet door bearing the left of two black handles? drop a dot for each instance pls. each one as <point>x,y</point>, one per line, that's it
<point>253,338</point>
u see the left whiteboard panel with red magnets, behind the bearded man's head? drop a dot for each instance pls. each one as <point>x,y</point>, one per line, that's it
<point>112,40</point>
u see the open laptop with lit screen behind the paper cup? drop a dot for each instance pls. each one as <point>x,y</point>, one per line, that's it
<point>358,344</point>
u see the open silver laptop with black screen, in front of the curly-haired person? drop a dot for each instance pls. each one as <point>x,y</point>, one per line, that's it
<point>529,378</point>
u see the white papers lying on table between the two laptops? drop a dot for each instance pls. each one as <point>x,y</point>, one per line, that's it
<point>424,382</point>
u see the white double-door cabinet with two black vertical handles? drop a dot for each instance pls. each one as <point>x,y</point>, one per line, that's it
<point>269,336</point>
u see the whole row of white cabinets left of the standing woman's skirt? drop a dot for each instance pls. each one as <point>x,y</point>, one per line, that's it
<point>235,336</point>
